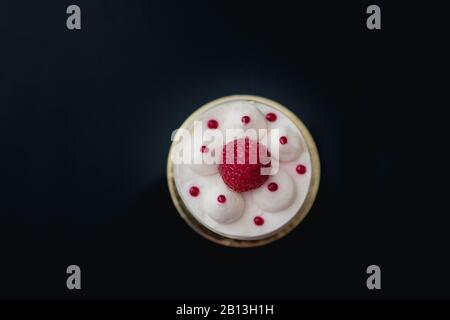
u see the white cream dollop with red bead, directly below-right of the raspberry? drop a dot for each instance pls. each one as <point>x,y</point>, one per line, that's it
<point>278,200</point>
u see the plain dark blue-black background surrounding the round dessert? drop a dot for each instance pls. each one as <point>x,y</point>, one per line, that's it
<point>85,124</point>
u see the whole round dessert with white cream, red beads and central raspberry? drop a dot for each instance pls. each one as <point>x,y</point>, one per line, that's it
<point>243,171</point>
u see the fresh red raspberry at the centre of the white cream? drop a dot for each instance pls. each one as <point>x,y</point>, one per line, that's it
<point>241,167</point>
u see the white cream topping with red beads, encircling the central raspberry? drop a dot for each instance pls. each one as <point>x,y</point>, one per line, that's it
<point>256,213</point>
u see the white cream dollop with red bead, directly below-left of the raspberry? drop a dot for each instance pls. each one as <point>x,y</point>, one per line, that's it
<point>226,212</point>
